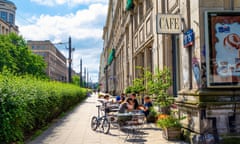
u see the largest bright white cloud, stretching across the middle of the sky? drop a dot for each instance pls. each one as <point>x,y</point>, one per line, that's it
<point>79,25</point>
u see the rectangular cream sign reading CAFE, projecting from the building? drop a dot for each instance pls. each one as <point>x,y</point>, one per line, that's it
<point>168,24</point>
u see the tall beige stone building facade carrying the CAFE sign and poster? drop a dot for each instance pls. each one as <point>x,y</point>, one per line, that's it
<point>188,37</point>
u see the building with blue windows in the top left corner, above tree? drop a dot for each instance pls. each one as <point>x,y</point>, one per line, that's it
<point>7,17</point>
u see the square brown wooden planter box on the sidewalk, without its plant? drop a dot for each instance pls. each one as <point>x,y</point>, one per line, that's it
<point>171,133</point>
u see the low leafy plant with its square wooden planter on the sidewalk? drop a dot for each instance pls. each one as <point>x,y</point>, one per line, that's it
<point>171,126</point>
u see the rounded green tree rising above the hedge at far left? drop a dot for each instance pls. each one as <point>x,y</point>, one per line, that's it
<point>16,57</point>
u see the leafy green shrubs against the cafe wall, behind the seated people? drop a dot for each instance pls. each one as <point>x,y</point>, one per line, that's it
<point>156,84</point>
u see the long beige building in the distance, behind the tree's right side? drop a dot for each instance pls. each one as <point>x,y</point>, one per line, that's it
<point>56,61</point>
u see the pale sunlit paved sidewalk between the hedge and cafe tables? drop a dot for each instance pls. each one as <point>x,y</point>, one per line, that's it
<point>75,128</point>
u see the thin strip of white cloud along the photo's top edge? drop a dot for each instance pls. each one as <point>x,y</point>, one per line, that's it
<point>68,2</point>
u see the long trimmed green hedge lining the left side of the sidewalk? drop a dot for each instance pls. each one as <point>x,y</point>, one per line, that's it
<point>27,103</point>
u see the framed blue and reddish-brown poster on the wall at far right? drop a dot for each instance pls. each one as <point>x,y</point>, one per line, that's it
<point>222,37</point>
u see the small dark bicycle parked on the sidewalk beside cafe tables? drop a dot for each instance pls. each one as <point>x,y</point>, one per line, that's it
<point>100,121</point>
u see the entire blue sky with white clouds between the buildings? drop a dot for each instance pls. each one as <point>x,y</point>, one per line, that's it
<point>56,20</point>
